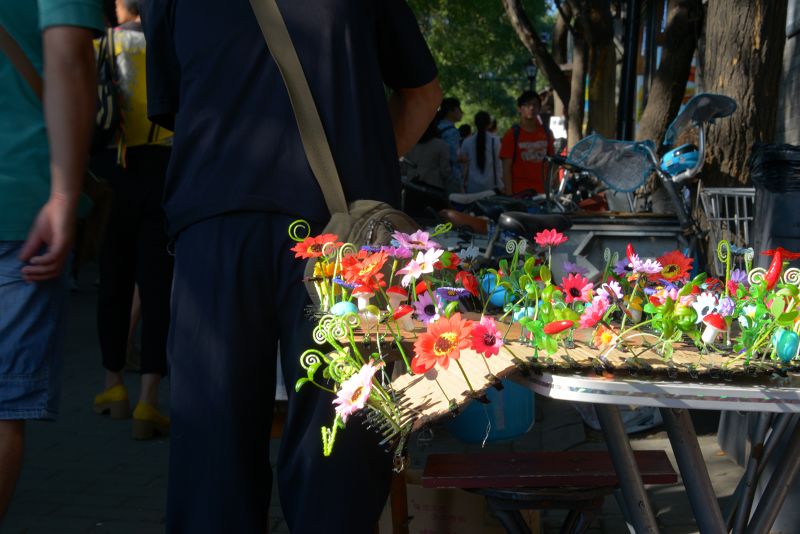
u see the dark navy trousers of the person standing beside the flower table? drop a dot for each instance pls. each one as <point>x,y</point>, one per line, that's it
<point>237,292</point>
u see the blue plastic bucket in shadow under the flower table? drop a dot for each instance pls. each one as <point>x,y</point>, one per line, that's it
<point>510,412</point>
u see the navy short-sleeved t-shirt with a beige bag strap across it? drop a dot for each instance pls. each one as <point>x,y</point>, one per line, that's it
<point>236,144</point>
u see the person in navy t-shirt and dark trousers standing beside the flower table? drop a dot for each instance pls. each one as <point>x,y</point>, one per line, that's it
<point>237,178</point>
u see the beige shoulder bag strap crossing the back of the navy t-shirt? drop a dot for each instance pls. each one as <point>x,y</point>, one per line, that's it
<point>312,134</point>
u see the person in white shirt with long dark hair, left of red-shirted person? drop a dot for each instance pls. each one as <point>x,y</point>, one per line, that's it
<point>484,170</point>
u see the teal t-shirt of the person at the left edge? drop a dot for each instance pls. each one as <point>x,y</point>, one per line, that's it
<point>24,154</point>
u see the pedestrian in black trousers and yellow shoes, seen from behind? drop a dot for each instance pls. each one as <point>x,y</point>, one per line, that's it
<point>134,251</point>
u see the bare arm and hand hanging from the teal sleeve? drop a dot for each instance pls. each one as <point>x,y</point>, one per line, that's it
<point>69,107</point>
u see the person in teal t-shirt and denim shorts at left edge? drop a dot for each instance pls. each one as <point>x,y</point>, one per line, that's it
<point>42,163</point>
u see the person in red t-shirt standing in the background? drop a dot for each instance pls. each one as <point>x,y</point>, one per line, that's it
<point>524,147</point>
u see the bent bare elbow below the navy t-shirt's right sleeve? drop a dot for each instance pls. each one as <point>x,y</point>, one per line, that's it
<point>411,111</point>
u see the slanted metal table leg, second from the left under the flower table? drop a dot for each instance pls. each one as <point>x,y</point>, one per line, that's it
<point>693,470</point>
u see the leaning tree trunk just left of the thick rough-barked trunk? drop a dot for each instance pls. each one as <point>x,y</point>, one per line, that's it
<point>684,23</point>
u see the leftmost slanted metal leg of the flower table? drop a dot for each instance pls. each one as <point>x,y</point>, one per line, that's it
<point>619,448</point>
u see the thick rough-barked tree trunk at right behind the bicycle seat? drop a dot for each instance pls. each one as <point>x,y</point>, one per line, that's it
<point>744,54</point>
